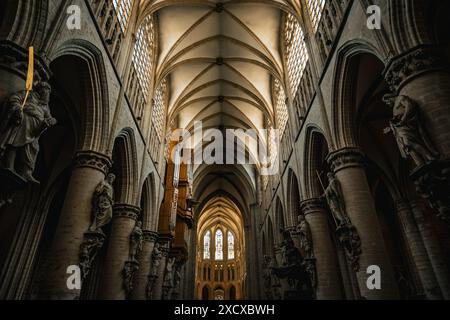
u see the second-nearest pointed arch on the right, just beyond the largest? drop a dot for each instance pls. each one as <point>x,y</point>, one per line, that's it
<point>316,151</point>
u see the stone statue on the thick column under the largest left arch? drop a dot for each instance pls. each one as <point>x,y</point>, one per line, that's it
<point>103,201</point>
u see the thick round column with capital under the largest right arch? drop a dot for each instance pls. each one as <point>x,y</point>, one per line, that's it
<point>348,167</point>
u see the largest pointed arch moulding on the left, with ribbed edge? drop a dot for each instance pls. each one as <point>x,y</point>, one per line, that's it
<point>96,112</point>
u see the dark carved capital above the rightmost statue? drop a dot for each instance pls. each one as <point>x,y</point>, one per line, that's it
<point>412,63</point>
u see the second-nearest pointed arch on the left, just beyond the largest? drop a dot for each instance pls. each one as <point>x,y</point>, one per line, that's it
<point>125,166</point>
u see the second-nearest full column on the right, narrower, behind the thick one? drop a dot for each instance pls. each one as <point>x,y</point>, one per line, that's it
<point>328,282</point>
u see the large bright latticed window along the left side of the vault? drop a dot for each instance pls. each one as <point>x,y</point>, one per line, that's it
<point>143,53</point>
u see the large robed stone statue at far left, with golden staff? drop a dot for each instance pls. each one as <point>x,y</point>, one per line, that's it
<point>21,128</point>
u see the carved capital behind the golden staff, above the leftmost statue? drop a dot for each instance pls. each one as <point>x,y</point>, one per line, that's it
<point>14,58</point>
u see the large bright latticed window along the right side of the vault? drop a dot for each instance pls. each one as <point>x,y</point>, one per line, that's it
<point>296,53</point>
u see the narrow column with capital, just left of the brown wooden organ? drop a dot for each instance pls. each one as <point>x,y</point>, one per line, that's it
<point>145,260</point>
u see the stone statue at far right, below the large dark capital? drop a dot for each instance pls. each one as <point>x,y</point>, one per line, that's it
<point>407,127</point>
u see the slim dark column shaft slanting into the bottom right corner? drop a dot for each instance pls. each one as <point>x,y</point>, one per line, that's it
<point>433,249</point>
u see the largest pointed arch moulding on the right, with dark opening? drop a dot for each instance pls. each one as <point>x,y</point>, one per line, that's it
<point>347,71</point>
